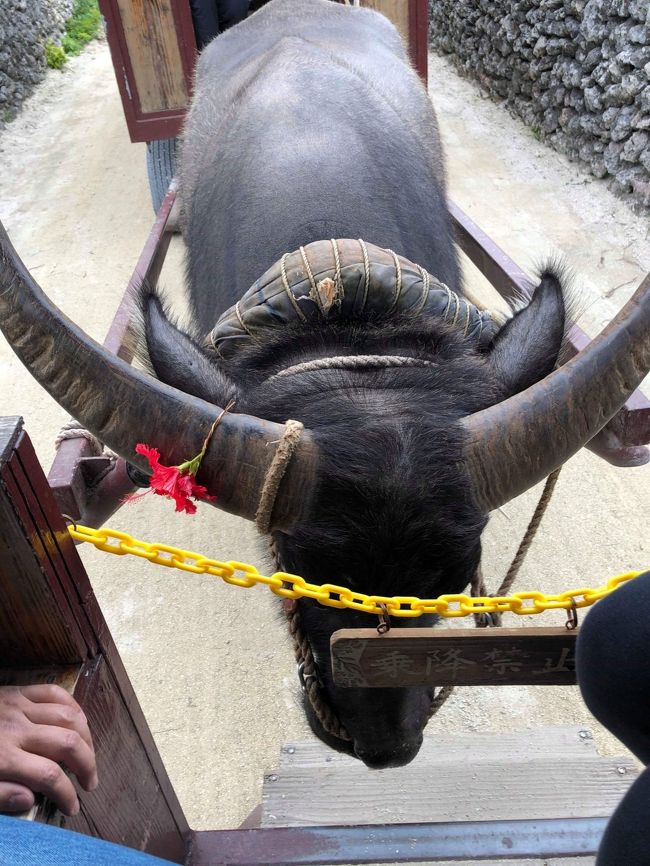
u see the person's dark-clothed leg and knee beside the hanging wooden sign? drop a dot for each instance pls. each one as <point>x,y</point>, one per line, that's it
<point>613,667</point>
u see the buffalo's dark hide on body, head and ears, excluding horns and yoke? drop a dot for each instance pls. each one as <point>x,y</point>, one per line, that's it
<point>308,124</point>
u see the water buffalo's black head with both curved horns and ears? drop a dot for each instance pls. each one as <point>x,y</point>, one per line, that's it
<point>398,468</point>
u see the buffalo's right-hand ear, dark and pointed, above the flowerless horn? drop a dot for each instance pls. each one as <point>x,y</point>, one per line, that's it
<point>527,347</point>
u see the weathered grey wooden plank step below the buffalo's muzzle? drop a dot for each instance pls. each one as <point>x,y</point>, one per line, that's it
<point>542,773</point>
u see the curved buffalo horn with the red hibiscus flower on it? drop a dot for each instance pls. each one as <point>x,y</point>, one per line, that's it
<point>123,406</point>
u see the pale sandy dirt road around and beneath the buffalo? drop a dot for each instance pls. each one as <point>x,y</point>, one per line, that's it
<point>212,665</point>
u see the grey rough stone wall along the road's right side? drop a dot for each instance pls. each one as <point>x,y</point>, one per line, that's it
<point>576,71</point>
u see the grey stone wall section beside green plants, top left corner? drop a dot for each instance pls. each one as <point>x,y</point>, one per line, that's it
<point>25,27</point>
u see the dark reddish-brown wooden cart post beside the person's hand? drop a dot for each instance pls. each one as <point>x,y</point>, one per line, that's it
<point>52,630</point>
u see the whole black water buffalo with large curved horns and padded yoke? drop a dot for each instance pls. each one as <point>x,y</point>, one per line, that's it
<point>420,414</point>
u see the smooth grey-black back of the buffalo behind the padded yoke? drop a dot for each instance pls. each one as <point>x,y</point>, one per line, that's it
<point>308,123</point>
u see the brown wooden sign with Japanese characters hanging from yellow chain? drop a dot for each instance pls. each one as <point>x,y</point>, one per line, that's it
<point>404,657</point>
